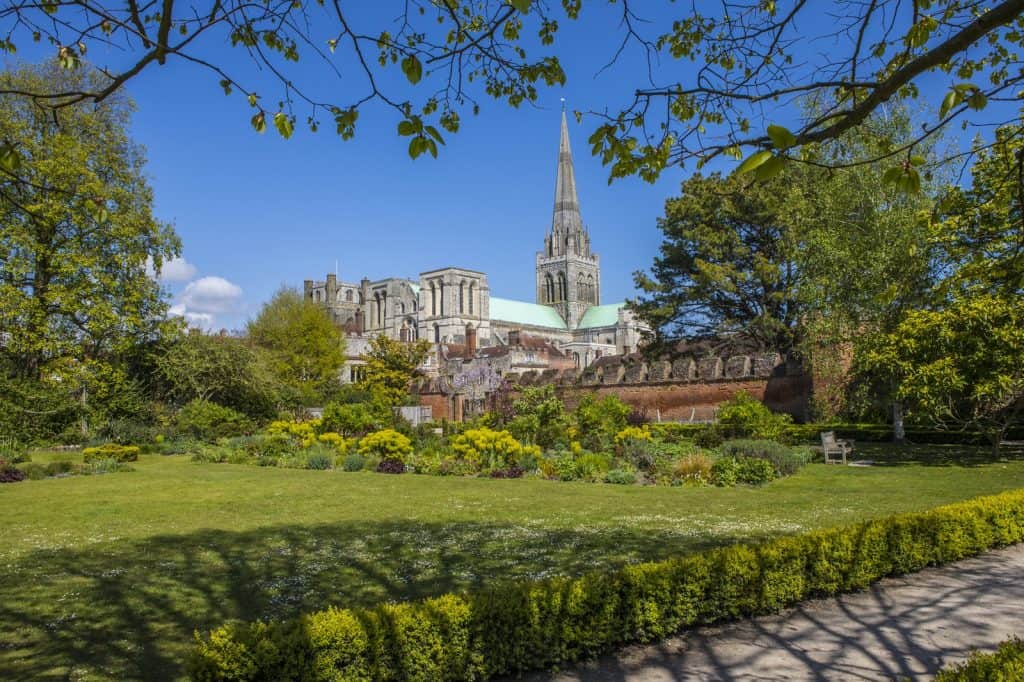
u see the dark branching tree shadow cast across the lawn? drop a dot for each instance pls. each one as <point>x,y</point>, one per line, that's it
<point>129,610</point>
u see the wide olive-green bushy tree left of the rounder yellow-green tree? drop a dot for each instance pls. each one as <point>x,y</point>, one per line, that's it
<point>219,369</point>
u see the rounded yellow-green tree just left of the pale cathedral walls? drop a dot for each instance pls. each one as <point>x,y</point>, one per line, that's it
<point>307,351</point>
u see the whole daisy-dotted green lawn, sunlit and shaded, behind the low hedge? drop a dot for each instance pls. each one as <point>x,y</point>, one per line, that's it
<point>108,577</point>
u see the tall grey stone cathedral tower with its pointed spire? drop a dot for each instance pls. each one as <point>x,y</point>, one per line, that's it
<point>569,276</point>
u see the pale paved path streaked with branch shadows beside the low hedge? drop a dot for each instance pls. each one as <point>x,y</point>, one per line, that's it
<point>901,628</point>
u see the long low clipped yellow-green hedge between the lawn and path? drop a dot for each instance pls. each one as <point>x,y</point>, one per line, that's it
<point>533,625</point>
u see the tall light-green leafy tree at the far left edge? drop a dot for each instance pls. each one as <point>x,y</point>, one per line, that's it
<point>77,233</point>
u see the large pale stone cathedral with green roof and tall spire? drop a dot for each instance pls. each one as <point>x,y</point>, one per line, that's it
<point>567,326</point>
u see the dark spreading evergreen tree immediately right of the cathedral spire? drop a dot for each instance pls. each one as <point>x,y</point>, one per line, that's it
<point>729,264</point>
